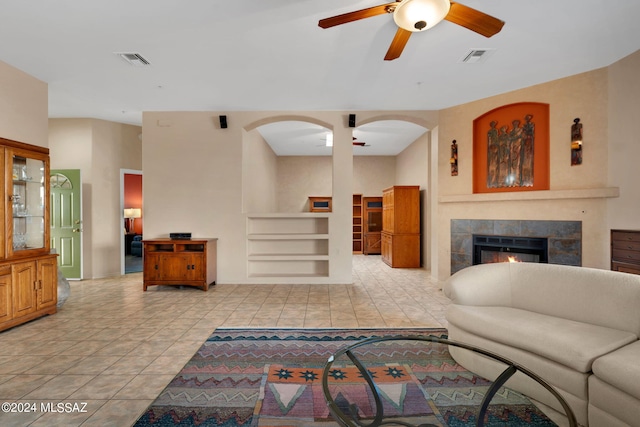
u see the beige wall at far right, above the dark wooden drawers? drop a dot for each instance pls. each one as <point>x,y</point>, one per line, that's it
<point>624,142</point>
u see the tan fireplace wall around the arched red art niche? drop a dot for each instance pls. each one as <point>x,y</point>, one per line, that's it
<point>583,96</point>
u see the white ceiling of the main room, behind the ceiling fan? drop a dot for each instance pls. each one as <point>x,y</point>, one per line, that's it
<point>261,55</point>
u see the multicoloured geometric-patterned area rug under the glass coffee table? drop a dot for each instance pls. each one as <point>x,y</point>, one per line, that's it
<point>273,377</point>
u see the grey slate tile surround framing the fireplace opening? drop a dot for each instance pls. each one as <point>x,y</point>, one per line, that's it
<point>564,238</point>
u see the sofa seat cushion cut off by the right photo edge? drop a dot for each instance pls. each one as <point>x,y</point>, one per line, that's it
<point>621,369</point>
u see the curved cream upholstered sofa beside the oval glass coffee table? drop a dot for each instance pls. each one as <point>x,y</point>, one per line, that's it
<point>576,327</point>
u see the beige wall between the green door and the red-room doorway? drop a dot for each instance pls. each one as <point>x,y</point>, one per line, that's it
<point>100,149</point>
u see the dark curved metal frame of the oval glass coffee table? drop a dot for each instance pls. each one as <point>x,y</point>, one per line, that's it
<point>350,418</point>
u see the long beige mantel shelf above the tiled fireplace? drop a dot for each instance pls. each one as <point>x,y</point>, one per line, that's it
<point>585,193</point>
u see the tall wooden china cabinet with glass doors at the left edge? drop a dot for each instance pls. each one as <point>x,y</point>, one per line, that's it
<point>28,271</point>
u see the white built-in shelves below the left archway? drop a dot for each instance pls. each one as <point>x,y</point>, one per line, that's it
<point>288,245</point>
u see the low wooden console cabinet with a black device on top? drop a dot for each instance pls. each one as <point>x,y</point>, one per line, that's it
<point>188,262</point>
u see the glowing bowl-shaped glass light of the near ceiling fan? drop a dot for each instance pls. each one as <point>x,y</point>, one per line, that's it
<point>420,15</point>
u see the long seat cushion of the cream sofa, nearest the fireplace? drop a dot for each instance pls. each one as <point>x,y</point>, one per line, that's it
<point>570,343</point>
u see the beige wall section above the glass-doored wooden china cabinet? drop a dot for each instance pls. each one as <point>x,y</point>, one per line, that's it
<point>23,107</point>
